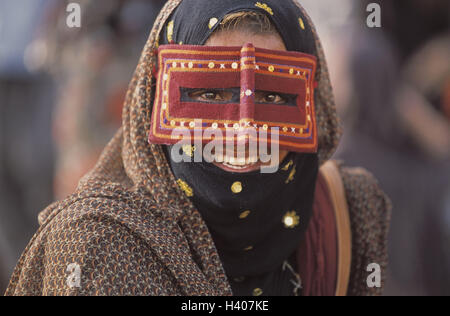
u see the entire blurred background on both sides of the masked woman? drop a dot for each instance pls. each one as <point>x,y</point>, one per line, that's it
<point>62,89</point>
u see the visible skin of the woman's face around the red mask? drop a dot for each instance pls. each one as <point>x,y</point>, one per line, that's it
<point>266,41</point>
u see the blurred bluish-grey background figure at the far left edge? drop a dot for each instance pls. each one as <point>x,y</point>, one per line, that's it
<point>26,150</point>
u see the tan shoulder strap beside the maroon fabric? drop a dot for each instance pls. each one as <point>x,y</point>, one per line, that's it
<point>332,176</point>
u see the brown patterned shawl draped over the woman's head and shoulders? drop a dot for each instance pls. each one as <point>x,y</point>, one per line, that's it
<point>132,231</point>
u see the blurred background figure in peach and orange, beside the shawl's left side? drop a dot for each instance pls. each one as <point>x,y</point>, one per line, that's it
<point>93,66</point>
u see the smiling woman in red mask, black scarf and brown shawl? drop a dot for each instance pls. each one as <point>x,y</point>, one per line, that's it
<point>142,224</point>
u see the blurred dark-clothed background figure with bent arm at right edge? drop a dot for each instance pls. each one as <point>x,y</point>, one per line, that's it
<point>401,132</point>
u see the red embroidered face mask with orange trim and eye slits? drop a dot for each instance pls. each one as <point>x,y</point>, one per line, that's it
<point>235,88</point>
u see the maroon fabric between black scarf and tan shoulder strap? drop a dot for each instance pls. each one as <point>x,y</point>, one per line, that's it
<point>317,254</point>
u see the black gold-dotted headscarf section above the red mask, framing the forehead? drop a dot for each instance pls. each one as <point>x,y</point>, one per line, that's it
<point>194,21</point>
